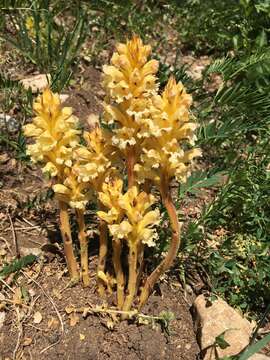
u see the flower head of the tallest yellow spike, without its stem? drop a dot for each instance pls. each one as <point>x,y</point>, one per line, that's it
<point>130,82</point>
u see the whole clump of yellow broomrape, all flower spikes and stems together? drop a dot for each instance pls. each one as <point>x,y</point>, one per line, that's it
<point>147,134</point>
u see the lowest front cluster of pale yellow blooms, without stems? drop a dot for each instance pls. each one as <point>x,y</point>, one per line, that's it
<point>129,216</point>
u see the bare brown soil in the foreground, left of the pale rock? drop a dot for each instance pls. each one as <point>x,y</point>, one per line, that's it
<point>91,337</point>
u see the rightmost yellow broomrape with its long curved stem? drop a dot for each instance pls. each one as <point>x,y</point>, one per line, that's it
<point>165,157</point>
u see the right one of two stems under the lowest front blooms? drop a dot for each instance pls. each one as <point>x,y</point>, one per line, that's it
<point>132,280</point>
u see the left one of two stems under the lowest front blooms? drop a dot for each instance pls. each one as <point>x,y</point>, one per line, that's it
<point>120,279</point>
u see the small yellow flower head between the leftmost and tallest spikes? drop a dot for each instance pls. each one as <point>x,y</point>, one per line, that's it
<point>92,160</point>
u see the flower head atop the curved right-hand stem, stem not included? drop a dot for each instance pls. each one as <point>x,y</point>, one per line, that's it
<point>164,151</point>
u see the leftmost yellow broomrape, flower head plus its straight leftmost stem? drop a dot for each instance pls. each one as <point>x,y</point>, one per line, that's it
<point>55,132</point>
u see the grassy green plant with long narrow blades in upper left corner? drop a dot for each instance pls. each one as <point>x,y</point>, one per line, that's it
<point>52,47</point>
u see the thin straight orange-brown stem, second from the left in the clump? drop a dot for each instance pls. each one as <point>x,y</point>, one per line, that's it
<point>83,248</point>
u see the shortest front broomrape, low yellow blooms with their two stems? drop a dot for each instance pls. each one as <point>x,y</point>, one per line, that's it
<point>129,220</point>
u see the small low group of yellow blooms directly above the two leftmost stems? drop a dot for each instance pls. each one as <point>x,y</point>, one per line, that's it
<point>72,192</point>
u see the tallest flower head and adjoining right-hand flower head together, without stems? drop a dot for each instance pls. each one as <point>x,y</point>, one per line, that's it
<point>158,124</point>
